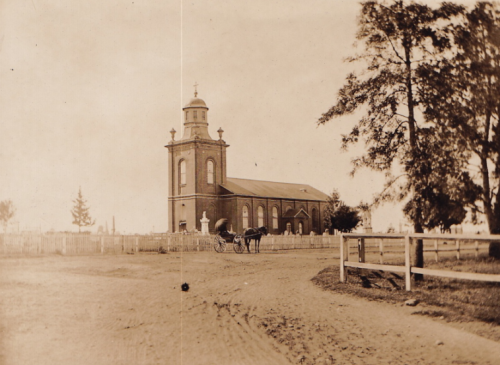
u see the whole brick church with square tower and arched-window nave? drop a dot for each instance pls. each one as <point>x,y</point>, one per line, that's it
<point>198,183</point>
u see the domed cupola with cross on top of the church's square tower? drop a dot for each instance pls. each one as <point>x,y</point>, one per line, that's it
<point>196,118</point>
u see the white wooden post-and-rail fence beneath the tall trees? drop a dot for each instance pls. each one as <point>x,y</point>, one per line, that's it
<point>440,244</point>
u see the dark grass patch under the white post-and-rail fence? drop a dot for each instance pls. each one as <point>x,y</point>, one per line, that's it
<point>458,300</point>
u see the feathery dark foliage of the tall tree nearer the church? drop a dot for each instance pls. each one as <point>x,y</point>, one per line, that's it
<point>399,39</point>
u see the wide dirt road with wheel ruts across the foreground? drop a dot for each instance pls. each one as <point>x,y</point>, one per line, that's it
<point>240,309</point>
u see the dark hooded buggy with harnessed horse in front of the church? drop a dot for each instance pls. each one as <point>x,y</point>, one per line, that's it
<point>239,241</point>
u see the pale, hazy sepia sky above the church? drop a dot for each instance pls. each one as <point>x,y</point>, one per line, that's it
<point>90,90</point>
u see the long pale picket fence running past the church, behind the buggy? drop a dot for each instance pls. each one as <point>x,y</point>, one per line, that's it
<point>78,244</point>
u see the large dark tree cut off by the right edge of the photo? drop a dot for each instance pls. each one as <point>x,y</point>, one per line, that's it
<point>465,99</point>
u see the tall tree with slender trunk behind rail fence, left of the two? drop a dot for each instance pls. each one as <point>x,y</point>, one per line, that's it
<point>398,39</point>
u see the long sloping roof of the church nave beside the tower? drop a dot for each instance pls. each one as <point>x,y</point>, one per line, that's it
<point>271,189</point>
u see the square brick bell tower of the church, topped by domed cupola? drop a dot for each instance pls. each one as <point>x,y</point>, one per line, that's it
<point>197,167</point>
